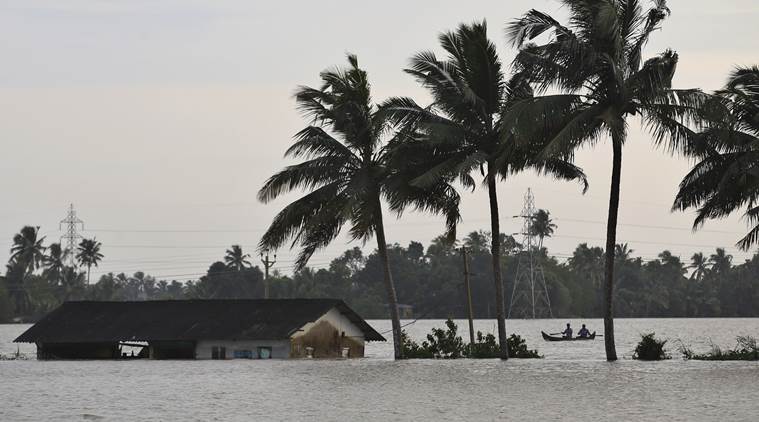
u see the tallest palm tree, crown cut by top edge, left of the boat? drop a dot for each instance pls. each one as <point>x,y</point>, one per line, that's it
<point>596,64</point>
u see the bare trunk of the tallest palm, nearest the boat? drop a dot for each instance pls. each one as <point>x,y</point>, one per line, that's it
<point>611,241</point>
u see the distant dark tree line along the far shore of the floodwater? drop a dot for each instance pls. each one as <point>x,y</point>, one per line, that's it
<point>429,279</point>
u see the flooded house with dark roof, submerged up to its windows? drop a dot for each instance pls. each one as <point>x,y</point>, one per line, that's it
<point>202,329</point>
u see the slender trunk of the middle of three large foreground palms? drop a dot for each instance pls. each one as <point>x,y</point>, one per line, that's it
<point>495,252</point>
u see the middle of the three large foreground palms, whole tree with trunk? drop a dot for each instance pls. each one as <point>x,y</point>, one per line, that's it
<point>464,131</point>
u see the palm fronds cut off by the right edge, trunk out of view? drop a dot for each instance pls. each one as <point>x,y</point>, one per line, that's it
<point>725,179</point>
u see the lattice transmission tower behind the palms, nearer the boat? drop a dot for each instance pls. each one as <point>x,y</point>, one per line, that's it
<point>529,296</point>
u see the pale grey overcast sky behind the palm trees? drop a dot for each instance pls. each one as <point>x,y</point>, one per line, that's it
<point>160,120</point>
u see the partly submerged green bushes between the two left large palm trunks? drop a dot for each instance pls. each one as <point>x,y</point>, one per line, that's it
<point>446,344</point>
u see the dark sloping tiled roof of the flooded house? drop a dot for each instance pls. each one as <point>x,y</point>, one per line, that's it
<point>250,319</point>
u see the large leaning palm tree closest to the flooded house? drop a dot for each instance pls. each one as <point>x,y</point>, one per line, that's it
<point>348,173</point>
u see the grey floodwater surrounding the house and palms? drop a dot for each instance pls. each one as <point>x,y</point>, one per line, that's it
<point>572,382</point>
